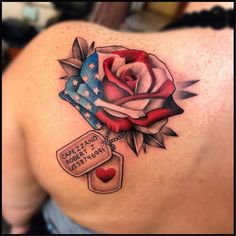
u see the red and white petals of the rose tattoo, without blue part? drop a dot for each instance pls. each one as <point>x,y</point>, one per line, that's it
<point>140,87</point>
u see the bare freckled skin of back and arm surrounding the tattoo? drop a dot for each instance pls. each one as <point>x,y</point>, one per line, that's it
<point>184,189</point>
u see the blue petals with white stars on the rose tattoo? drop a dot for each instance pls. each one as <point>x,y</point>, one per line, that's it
<point>82,91</point>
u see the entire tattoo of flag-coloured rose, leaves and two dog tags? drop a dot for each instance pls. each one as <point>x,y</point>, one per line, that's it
<point>128,93</point>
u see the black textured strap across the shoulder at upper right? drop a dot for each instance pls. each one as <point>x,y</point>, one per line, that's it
<point>216,18</point>
